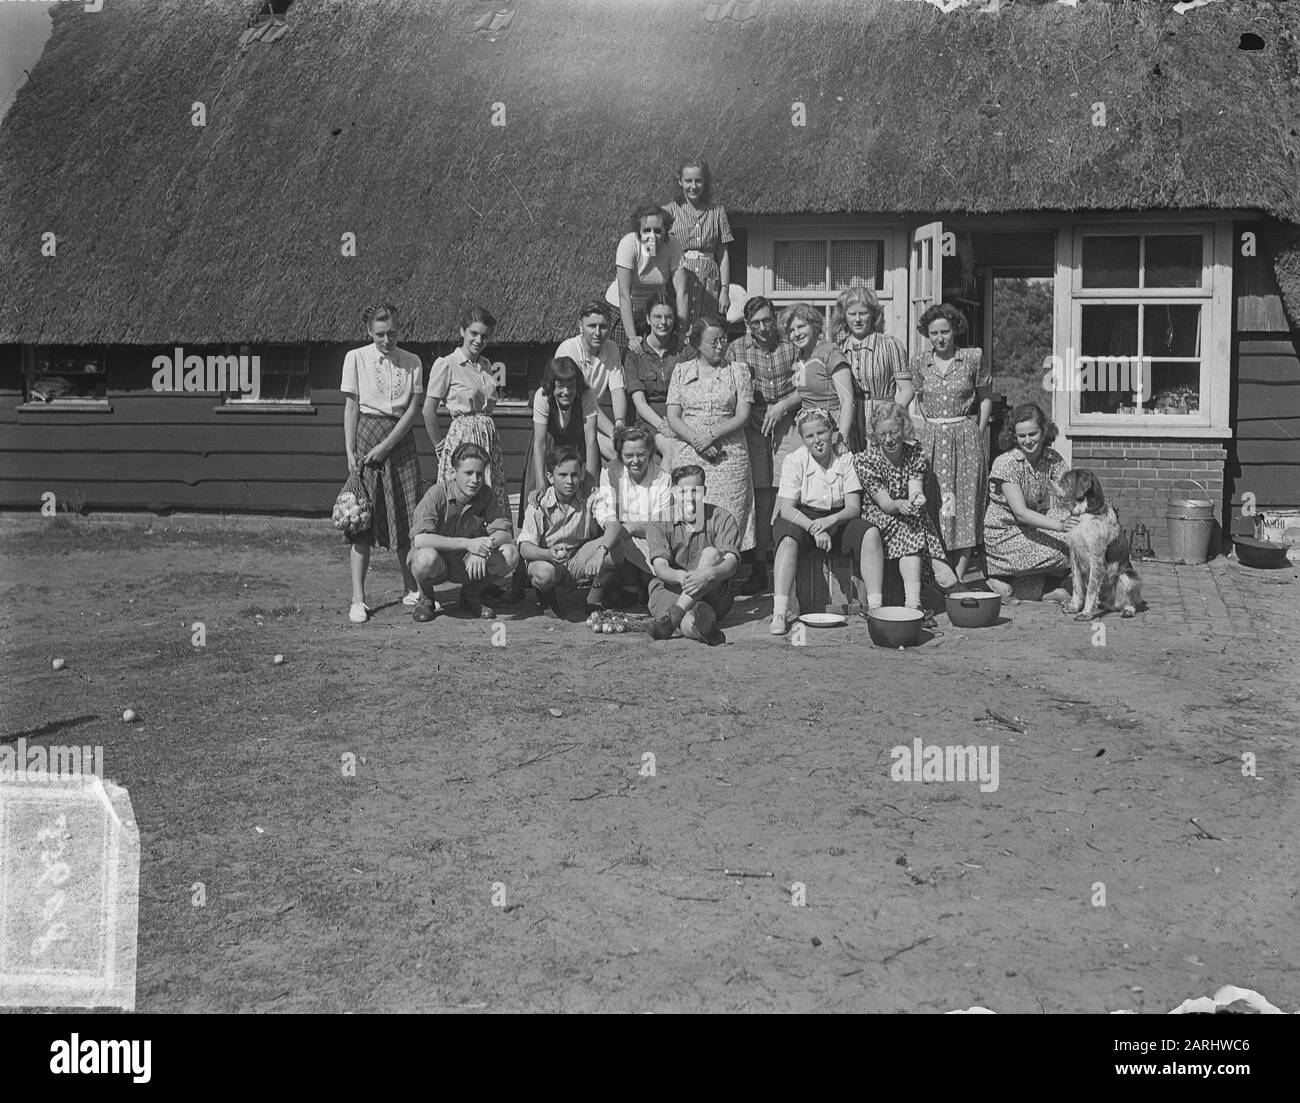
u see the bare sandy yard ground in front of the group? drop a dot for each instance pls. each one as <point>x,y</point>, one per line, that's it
<point>376,892</point>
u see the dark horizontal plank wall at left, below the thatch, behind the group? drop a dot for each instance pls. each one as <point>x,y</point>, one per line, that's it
<point>187,452</point>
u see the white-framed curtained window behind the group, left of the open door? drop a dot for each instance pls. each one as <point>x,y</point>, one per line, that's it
<point>814,263</point>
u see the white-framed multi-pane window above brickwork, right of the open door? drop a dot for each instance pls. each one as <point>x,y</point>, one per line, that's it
<point>1150,319</point>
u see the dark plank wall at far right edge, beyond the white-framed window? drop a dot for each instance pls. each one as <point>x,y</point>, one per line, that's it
<point>1264,457</point>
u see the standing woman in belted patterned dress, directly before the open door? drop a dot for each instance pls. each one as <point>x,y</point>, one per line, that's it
<point>955,403</point>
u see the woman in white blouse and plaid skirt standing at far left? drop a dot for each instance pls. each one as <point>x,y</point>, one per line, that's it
<point>384,387</point>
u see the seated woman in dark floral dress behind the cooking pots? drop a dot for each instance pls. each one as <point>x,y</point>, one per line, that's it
<point>892,472</point>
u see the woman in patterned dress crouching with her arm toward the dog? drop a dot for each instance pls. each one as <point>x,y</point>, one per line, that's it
<point>1026,520</point>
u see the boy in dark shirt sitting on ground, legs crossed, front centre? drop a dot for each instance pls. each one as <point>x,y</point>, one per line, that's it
<point>694,555</point>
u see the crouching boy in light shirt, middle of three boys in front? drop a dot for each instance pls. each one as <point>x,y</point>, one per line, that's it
<point>562,542</point>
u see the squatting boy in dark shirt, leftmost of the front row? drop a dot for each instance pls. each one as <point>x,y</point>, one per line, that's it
<point>461,534</point>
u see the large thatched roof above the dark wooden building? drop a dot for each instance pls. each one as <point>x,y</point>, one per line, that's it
<point>374,118</point>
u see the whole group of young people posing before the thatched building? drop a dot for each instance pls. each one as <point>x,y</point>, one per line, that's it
<point>664,453</point>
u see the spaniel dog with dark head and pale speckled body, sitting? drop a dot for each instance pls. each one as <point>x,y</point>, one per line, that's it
<point>1100,560</point>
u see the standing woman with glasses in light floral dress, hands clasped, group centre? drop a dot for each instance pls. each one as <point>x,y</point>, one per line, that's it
<point>709,404</point>
